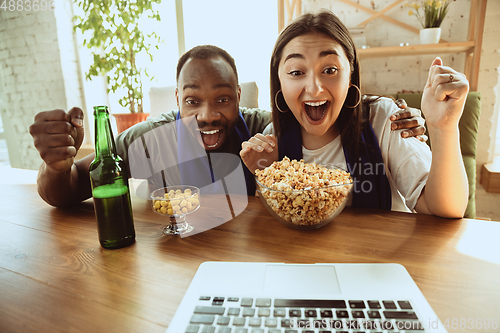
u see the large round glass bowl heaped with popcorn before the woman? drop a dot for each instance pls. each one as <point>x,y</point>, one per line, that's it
<point>303,195</point>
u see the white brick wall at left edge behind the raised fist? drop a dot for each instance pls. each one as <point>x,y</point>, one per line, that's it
<point>37,72</point>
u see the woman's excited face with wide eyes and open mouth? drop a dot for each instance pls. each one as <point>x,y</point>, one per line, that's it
<point>315,76</point>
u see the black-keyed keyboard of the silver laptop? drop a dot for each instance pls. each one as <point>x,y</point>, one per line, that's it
<point>264,315</point>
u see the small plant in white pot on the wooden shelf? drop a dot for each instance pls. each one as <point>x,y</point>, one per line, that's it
<point>433,14</point>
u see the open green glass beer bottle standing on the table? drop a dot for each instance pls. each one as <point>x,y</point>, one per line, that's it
<point>109,179</point>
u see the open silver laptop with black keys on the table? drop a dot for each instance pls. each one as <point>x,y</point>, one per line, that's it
<point>243,297</point>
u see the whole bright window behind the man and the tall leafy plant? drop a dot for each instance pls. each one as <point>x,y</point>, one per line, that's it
<point>247,30</point>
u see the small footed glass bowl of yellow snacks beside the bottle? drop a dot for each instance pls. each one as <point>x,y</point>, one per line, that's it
<point>175,202</point>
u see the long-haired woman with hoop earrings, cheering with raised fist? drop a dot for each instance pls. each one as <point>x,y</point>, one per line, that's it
<point>320,115</point>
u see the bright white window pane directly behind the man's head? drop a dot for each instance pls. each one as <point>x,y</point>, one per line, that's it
<point>247,30</point>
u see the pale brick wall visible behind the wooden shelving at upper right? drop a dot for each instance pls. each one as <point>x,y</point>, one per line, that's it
<point>393,74</point>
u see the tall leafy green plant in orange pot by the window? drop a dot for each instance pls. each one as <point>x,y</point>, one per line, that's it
<point>116,42</point>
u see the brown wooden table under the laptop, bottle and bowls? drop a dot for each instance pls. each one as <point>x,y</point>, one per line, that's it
<point>54,276</point>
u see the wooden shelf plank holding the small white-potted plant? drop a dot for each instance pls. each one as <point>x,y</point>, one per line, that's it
<point>434,49</point>
